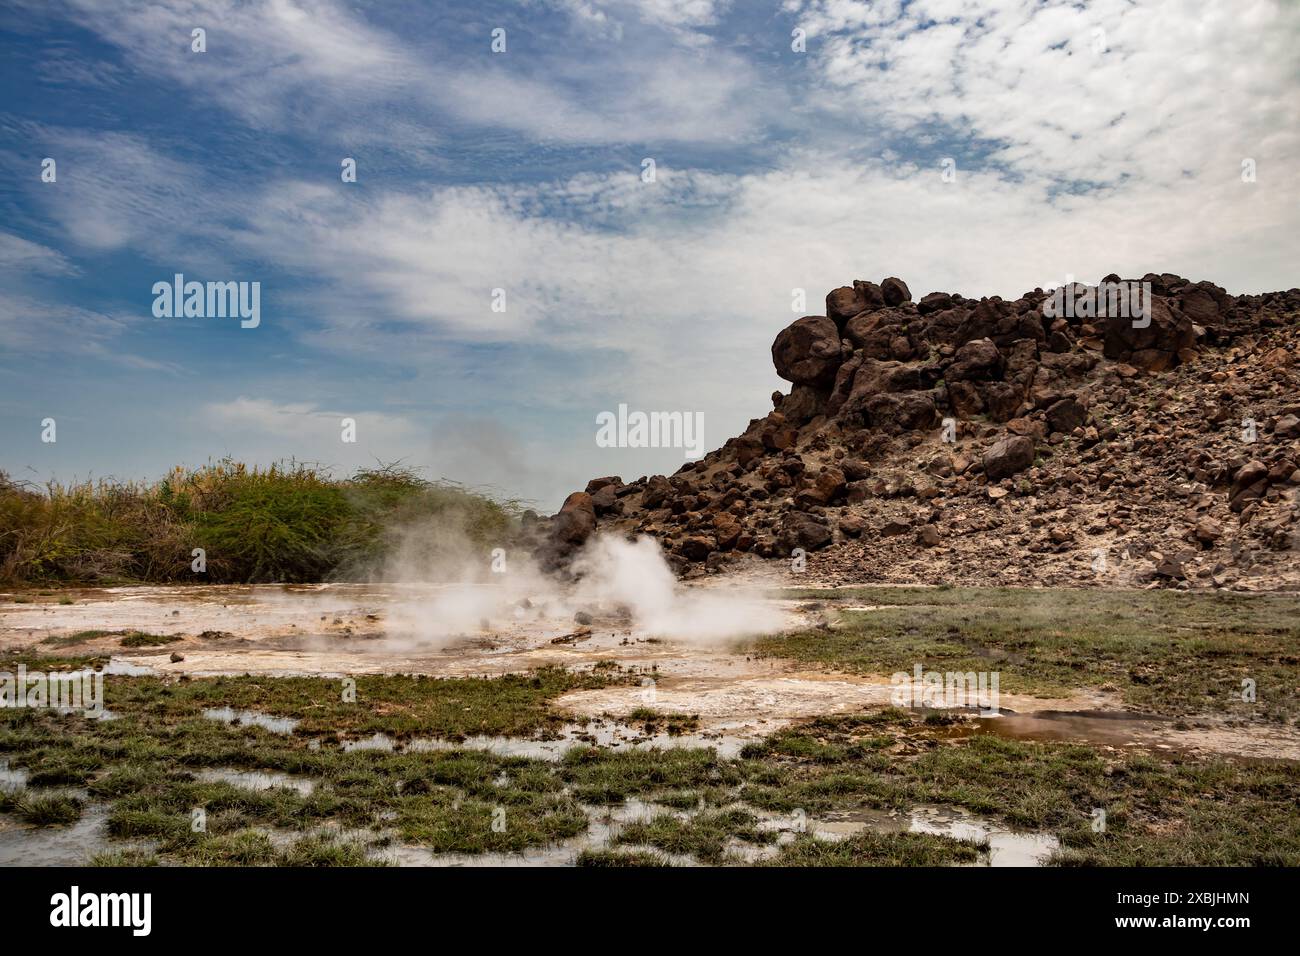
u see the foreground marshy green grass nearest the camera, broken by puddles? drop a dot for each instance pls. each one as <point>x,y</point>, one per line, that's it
<point>144,767</point>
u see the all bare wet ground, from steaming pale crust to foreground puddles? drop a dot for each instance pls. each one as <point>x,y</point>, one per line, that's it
<point>735,698</point>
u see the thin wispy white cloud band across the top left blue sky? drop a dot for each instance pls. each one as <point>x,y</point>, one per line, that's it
<point>314,66</point>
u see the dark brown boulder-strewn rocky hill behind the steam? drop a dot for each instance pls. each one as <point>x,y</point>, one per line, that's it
<point>1063,439</point>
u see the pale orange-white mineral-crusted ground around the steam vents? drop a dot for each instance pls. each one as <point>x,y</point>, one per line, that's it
<point>340,630</point>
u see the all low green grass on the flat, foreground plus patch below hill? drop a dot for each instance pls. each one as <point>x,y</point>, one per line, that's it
<point>1165,810</point>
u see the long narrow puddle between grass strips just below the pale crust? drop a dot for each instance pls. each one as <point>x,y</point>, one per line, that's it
<point>608,736</point>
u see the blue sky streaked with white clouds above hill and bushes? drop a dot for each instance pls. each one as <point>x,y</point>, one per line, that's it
<point>505,269</point>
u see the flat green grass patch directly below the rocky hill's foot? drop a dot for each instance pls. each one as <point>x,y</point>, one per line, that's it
<point>1162,651</point>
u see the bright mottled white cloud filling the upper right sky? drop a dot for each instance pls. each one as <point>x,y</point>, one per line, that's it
<point>1113,92</point>
